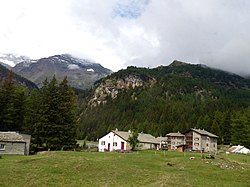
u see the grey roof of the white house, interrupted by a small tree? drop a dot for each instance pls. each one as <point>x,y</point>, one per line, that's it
<point>142,137</point>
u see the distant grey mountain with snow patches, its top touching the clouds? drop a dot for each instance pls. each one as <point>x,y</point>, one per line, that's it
<point>81,73</point>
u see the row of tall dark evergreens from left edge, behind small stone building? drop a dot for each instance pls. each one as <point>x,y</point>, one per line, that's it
<point>48,114</point>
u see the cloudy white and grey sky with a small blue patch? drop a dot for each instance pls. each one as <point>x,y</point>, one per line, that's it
<point>120,33</point>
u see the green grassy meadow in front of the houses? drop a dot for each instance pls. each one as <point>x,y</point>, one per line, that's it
<point>145,168</point>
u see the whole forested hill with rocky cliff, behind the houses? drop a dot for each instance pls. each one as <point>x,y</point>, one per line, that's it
<point>168,98</point>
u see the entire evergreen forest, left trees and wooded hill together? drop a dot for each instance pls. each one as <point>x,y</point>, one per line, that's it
<point>166,99</point>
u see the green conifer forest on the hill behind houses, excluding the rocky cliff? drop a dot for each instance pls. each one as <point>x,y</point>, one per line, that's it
<point>176,102</point>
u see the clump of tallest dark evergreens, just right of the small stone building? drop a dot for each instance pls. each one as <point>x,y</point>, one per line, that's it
<point>53,116</point>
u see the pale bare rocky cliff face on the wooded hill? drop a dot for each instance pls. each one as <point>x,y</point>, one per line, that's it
<point>111,87</point>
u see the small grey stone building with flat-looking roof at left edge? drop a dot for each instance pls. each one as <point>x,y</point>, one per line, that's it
<point>14,143</point>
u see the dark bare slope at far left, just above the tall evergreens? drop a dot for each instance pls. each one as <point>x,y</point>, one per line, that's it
<point>16,78</point>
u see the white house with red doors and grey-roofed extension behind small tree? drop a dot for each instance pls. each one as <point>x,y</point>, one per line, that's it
<point>117,140</point>
